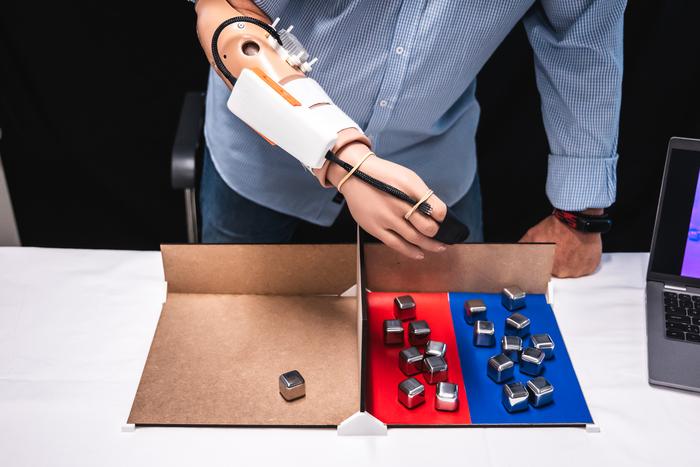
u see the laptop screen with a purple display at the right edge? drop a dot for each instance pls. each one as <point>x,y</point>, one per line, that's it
<point>676,248</point>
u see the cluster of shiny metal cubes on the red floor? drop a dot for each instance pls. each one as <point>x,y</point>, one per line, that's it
<point>431,363</point>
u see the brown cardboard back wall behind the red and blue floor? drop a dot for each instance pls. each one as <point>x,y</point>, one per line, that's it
<point>476,267</point>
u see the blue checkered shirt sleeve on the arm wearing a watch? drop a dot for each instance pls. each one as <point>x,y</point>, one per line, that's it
<point>577,47</point>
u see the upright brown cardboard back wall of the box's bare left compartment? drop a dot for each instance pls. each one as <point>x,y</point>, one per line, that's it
<point>260,269</point>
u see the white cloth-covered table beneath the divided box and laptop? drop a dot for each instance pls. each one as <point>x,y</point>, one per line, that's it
<point>75,328</point>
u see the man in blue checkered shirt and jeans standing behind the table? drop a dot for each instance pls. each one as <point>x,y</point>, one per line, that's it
<point>405,71</point>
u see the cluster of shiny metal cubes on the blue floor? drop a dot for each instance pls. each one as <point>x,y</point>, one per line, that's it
<point>517,396</point>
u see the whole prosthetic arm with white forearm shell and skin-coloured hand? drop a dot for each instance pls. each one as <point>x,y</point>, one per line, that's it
<point>271,93</point>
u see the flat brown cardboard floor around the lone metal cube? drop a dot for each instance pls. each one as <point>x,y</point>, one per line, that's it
<point>216,359</point>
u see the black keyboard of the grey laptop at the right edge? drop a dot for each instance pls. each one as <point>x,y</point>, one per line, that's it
<point>682,316</point>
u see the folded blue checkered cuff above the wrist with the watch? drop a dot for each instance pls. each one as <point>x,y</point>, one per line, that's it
<point>578,183</point>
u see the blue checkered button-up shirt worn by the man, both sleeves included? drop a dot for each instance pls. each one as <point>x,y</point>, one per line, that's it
<point>405,71</point>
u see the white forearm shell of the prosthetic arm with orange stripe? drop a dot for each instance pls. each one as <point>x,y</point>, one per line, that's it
<point>296,115</point>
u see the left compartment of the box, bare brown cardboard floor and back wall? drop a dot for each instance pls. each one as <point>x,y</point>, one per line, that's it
<point>238,316</point>
